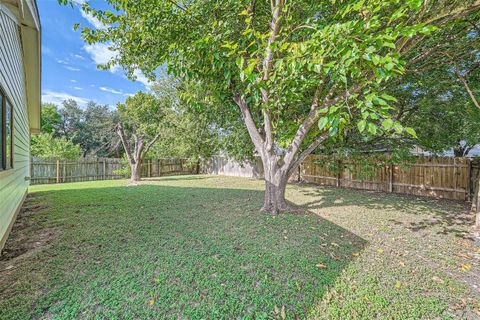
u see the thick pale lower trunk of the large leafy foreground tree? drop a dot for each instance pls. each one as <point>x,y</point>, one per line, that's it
<point>275,185</point>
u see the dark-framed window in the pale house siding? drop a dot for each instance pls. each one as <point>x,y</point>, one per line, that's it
<point>6,133</point>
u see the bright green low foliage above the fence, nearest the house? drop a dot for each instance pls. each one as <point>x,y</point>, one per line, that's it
<point>46,146</point>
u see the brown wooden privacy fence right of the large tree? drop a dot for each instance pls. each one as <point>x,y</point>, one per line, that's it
<point>439,177</point>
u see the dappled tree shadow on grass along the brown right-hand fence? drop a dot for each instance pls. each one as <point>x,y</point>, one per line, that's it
<point>446,217</point>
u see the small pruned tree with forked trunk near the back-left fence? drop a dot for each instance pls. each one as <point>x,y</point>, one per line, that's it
<point>141,118</point>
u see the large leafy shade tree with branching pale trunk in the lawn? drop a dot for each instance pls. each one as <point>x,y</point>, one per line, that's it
<point>286,66</point>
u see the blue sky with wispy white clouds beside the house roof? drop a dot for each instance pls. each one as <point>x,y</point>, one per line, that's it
<point>69,66</point>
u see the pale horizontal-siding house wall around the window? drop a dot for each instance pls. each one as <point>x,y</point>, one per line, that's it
<point>13,185</point>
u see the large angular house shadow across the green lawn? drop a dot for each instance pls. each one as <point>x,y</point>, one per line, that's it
<point>167,252</point>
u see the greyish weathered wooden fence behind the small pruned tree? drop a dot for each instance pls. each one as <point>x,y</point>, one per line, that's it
<point>59,171</point>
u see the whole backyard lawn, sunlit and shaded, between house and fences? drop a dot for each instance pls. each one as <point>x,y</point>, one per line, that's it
<point>196,247</point>
